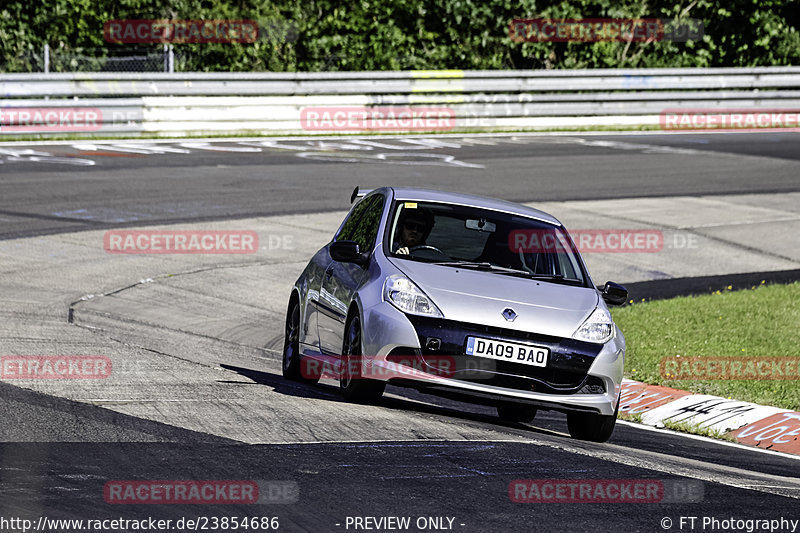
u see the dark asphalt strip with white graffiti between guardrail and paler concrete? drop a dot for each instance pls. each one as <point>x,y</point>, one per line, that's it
<point>125,184</point>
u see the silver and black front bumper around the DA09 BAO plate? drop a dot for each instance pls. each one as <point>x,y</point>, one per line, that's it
<point>579,376</point>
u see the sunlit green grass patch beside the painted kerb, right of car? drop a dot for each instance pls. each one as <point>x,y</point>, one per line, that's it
<point>763,321</point>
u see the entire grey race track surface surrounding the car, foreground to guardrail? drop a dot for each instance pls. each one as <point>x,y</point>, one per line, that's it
<point>196,391</point>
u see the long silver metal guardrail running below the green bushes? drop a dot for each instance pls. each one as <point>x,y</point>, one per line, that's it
<point>187,103</point>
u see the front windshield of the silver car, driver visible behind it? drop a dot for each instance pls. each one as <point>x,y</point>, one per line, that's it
<point>481,239</point>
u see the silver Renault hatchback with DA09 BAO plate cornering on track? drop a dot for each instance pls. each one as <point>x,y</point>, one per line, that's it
<point>479,299</point>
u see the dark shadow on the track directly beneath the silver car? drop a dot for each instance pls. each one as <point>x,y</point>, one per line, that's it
<point>324,391</point>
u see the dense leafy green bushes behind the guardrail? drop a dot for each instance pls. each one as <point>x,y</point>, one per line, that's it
<point>314,35</point>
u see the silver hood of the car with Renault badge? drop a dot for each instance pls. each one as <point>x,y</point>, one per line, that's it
<point>480,297</point>
